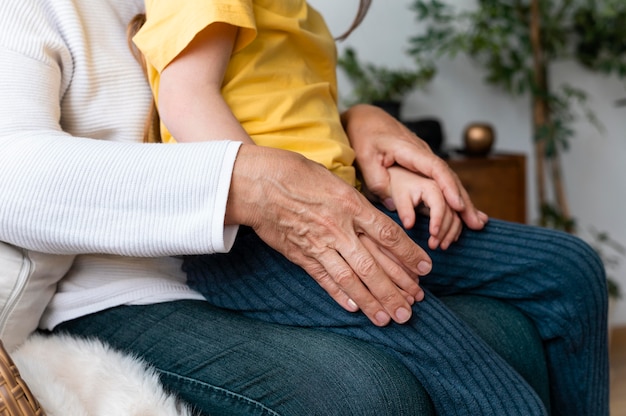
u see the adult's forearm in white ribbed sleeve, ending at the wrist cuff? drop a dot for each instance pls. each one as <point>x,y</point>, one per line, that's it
<point>116,198</point>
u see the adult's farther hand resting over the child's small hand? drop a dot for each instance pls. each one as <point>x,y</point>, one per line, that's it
<point>380,141</point>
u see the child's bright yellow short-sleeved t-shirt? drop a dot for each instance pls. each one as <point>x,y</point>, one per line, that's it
<point>281,79</point>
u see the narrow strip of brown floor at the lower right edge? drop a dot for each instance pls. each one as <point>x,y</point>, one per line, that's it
<point>618,371</point>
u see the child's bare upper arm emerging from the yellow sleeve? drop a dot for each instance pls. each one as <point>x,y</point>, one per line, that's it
<point>190,102</point>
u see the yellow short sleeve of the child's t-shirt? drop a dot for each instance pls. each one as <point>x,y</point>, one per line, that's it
<point>171,25</point>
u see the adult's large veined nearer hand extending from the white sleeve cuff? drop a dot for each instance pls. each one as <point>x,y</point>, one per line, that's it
<point>329,229</point>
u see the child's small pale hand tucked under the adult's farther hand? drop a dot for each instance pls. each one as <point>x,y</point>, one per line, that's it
<point>409,191</point>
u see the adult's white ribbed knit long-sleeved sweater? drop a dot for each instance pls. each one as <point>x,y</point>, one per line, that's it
<point>76,183</point>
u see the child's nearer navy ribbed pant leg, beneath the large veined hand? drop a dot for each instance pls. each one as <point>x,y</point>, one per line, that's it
<point>462,375</point>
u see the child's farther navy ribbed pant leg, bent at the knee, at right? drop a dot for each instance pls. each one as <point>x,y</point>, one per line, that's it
<point>558,281</point>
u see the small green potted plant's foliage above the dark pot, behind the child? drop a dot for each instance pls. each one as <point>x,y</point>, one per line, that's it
<point>380,85</point>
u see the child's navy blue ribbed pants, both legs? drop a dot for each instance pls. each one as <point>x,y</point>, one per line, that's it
<point>554,278</point>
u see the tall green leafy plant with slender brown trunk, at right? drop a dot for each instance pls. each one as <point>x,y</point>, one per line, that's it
<point>516,42</point>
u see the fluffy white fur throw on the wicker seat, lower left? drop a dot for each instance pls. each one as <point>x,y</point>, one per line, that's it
<point>73,377</point>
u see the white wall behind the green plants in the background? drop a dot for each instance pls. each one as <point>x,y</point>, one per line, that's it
<point>595,168</point>
